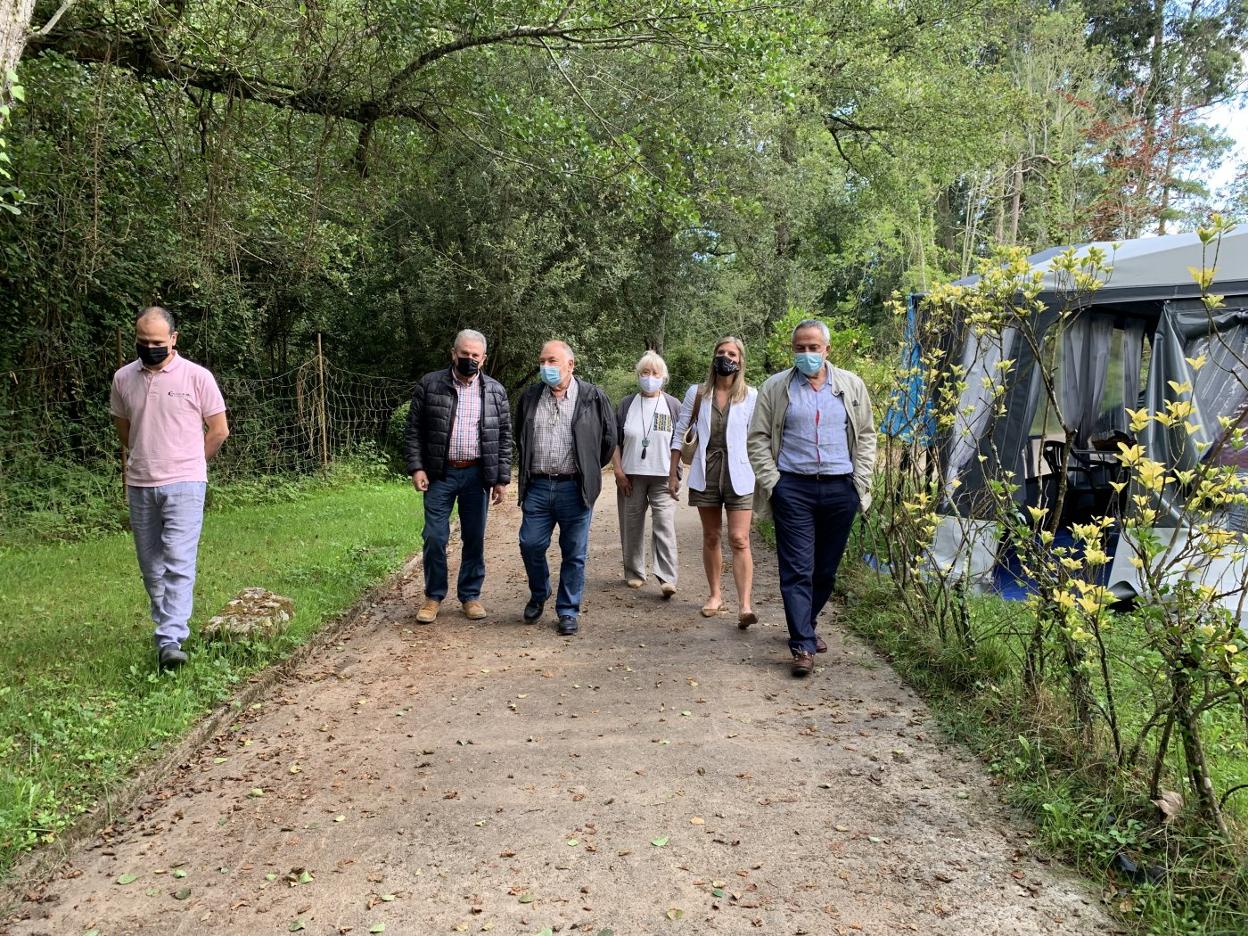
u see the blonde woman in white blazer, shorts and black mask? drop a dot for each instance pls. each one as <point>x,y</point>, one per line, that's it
<point>721,477</point>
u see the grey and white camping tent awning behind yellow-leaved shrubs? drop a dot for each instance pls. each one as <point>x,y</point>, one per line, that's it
<point>1146,318</point>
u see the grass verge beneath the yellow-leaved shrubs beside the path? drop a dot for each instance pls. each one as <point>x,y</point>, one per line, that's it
<point>1085,811</point>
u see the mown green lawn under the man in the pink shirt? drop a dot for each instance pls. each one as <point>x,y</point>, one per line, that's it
<point>82,704</point>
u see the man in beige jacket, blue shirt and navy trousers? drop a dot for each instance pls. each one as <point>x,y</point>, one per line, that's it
<point>812,445</point>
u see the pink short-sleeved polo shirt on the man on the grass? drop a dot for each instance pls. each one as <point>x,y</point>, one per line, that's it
<point>167,410</point>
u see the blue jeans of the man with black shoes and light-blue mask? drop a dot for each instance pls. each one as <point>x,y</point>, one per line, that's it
<point>548,504</point>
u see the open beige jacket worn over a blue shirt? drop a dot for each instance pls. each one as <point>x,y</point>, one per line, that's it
<point>767,432</point>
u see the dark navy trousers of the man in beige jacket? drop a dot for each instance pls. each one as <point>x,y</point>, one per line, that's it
<point>814,519</point>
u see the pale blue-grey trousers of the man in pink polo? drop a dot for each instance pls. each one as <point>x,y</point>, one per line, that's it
<point>167,524</point>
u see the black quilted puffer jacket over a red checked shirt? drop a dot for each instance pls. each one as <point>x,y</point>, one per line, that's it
<point>434,414</point>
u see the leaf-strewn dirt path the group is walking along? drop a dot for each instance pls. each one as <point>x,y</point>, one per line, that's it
<point>661,773</point>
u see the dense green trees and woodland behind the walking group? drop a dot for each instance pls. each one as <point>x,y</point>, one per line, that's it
<point>625,175</point>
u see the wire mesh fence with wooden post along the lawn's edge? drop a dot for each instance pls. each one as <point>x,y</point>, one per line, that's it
<point>62,464</point>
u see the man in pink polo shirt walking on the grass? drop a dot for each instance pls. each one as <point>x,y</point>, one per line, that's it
<point>172,420</point>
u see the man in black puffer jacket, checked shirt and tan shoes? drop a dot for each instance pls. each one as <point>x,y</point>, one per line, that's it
<point>459,450</point>
